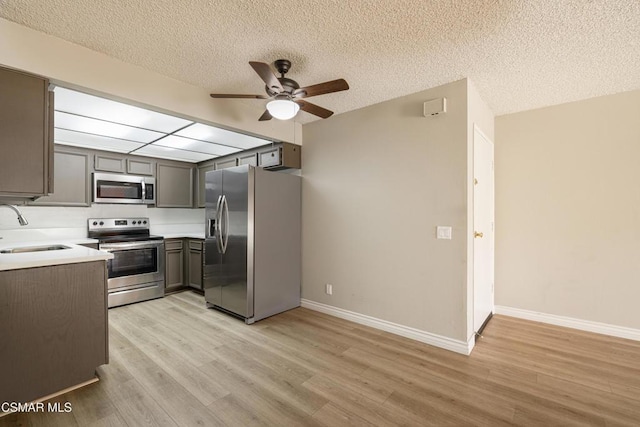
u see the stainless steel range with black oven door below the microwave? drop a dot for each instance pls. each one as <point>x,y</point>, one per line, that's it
<point>136,272</point>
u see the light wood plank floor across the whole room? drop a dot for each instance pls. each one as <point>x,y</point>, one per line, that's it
<point>173,362</point>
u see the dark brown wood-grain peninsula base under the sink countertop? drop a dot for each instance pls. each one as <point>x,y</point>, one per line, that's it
<point>53,326</point>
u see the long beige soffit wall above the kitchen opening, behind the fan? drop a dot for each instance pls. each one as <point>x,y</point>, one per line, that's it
<point>80,68</point>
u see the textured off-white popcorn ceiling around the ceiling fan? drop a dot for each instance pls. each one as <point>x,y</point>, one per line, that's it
<point>520,54</point>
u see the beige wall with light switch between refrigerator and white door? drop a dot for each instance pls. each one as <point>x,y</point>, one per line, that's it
<point>376,183</point>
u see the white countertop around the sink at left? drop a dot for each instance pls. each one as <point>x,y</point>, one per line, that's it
<point>73,255</point>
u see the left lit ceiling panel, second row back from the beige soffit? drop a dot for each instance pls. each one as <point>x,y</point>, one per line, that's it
<point>100,127</point>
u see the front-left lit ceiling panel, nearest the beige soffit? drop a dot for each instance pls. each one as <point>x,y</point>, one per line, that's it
<point>79,103</point>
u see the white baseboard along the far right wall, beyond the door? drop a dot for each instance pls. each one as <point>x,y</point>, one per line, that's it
<point>570,322</point>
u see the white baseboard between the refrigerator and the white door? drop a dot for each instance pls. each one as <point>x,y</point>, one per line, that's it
<point>450,344</point>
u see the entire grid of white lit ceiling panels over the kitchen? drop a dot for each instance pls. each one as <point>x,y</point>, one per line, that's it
<point>89,121</point>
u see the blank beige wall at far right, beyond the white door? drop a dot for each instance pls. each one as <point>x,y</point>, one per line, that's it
<point>568,210</point>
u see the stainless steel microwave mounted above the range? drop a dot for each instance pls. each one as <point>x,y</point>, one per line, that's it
<point>114,188</point>
